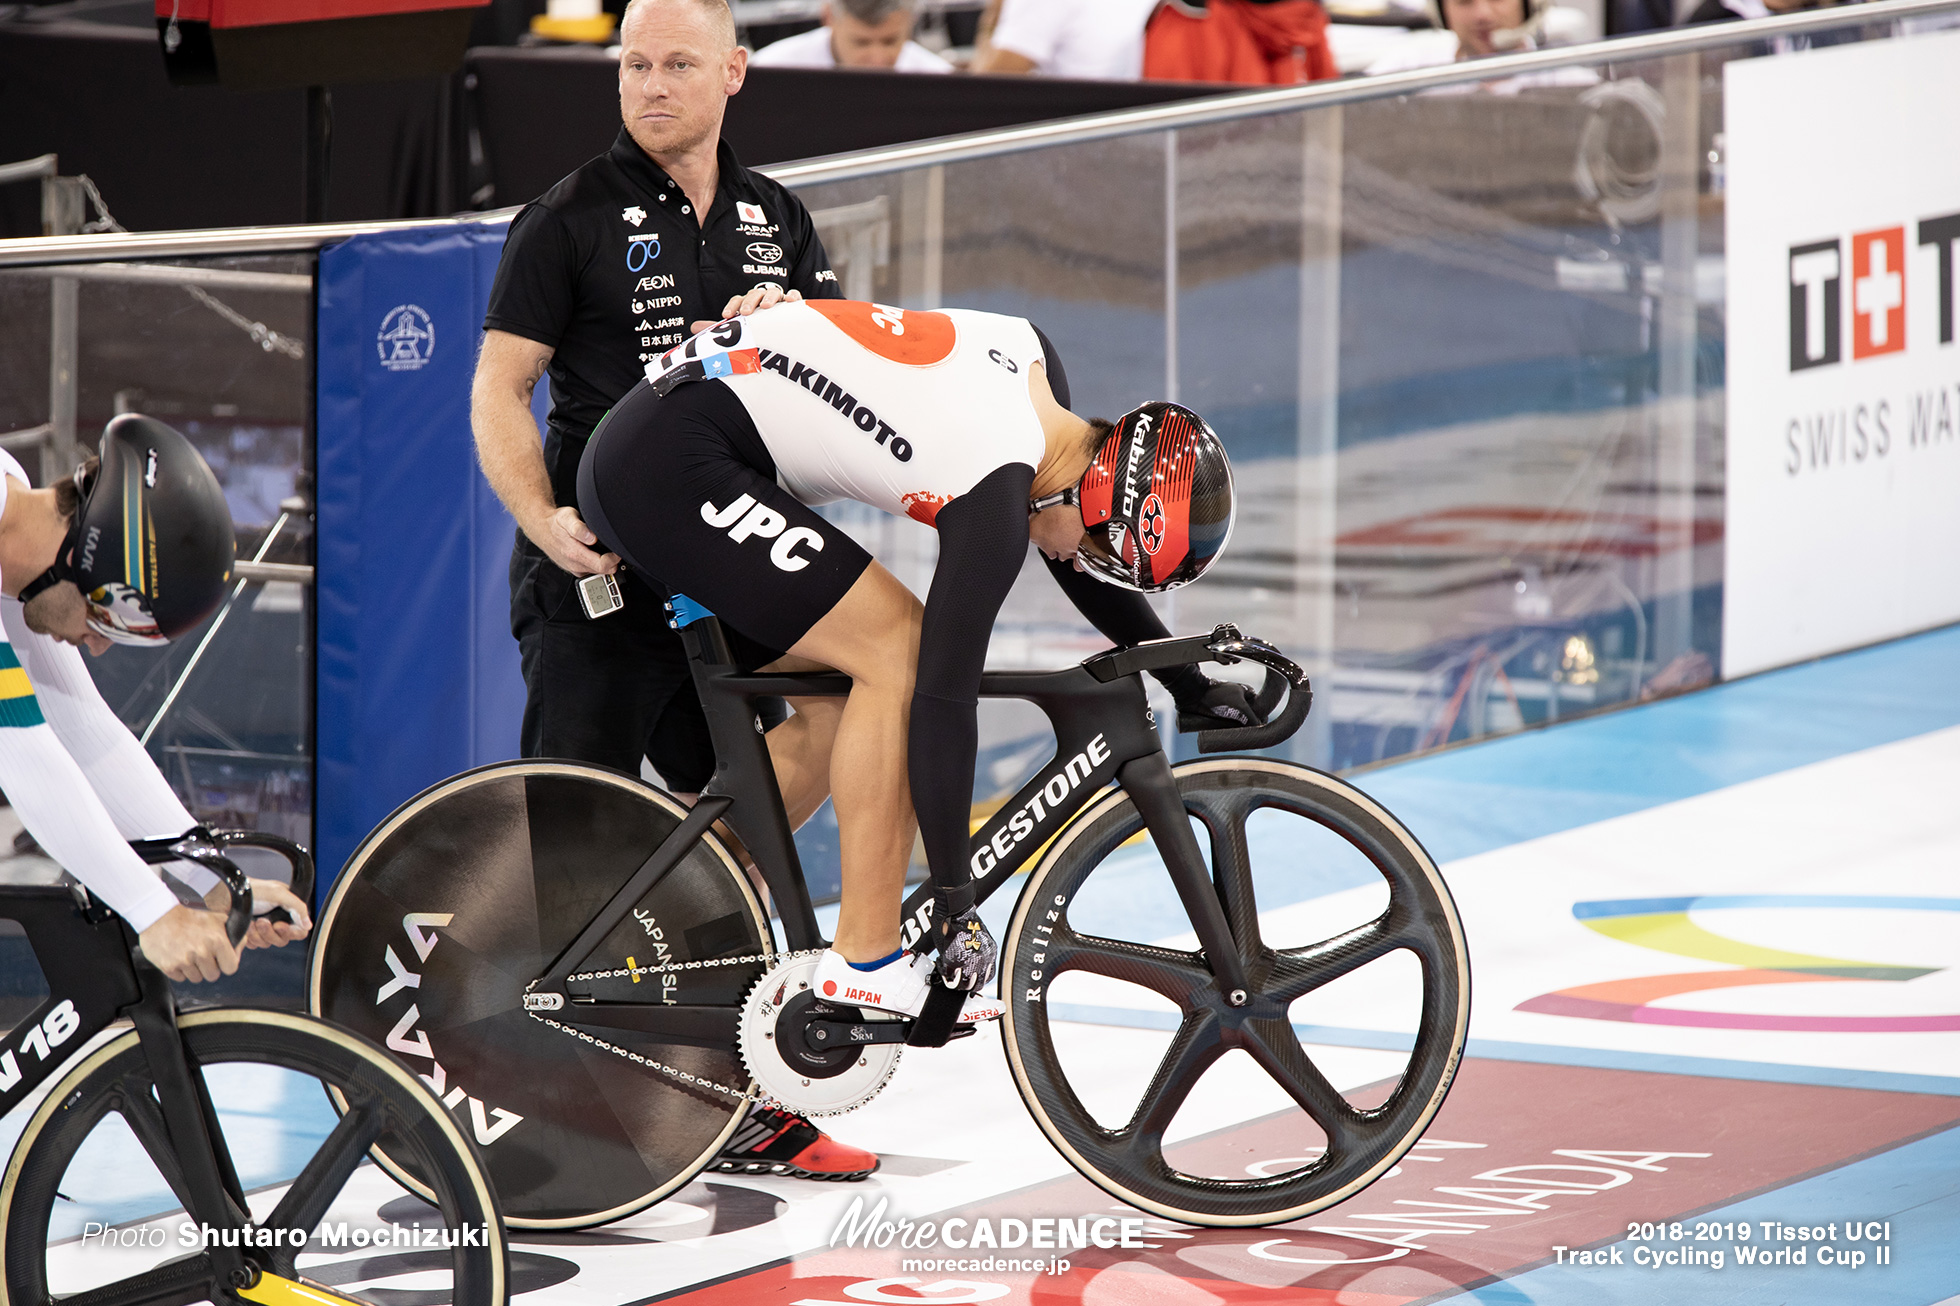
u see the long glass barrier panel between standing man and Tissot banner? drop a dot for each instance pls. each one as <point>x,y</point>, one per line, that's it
<point>1467,350</point>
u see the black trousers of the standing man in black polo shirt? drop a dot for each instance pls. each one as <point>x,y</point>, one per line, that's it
<point>616,689</point>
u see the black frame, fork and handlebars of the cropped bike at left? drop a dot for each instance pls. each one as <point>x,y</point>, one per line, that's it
<point>95,978</point>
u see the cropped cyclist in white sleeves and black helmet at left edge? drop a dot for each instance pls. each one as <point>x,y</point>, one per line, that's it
<point>72,770</point>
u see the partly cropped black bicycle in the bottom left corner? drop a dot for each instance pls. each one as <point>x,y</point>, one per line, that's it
<point>138,1103</point>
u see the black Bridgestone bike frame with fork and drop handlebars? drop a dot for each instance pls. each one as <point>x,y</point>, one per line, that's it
<point>1104,736</point>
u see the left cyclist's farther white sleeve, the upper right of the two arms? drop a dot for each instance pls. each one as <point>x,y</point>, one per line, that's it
<point>122,776</point>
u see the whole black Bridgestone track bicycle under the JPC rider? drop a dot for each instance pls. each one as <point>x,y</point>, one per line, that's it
<point>585,974</point>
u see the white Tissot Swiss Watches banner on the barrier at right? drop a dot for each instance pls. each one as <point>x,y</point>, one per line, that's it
<point>1843,366</point>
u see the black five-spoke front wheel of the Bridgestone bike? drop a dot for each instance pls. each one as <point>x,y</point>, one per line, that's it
<point>1361,1144</point>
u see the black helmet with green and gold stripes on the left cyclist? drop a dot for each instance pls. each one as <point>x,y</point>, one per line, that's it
<point>152,544</point>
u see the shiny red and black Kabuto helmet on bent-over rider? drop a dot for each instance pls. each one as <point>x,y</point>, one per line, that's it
<point>1157,503</point>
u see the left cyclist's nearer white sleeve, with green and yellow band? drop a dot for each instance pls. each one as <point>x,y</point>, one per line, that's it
<point>64,815</point>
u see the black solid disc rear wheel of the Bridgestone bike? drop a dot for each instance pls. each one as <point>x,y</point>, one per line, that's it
<point>467,895</point>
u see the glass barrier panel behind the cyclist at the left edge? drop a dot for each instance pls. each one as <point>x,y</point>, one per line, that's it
<point>220,350</point>
